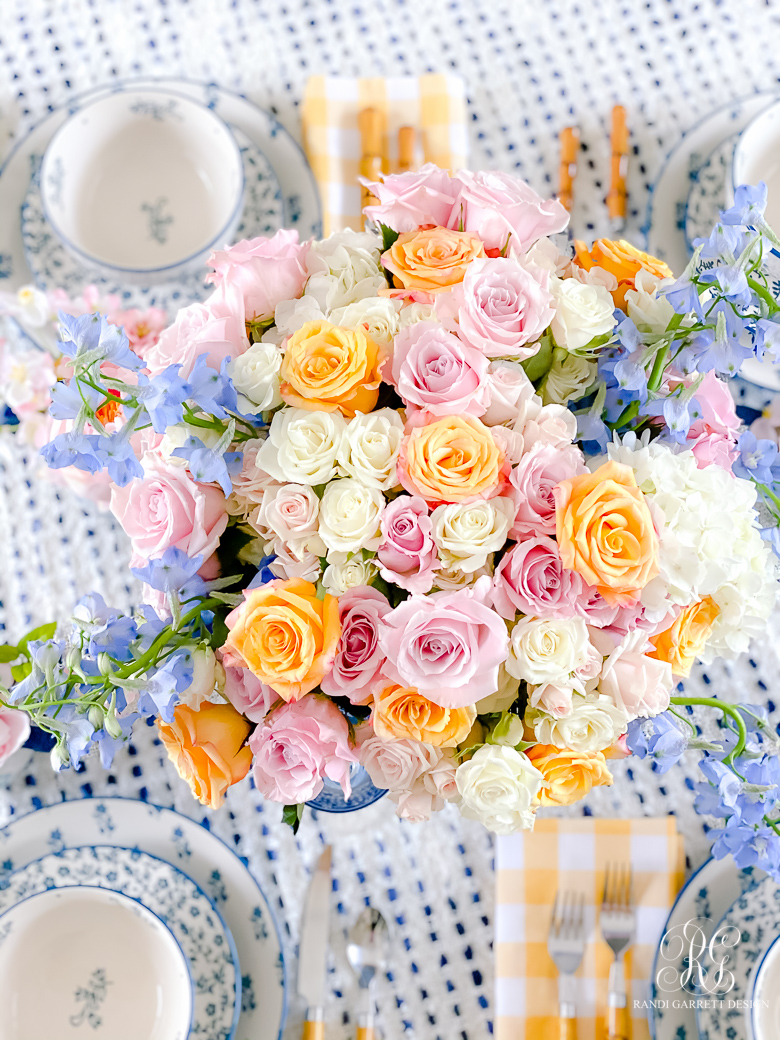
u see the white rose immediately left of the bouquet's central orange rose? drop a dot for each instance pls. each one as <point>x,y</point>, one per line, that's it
<point>371,449</point>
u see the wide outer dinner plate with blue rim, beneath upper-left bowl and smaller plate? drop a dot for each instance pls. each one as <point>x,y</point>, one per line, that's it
<point>301,206</point>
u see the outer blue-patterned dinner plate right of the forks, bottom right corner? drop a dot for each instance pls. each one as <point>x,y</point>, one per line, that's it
<point>705,899</point>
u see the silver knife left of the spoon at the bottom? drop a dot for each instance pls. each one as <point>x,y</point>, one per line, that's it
<point>313,959</point>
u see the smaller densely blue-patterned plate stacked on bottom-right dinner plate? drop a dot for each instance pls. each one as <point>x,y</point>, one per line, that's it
<point>749,928</point>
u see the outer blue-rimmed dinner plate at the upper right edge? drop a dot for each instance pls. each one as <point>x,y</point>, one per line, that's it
<point>665,224</point>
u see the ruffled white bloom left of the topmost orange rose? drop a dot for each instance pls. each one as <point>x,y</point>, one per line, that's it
<point>345,268</point>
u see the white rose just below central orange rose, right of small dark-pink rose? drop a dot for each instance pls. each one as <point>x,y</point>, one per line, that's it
<point>465,534</point>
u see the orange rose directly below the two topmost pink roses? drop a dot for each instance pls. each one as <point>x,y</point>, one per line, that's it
<point>432,261</point>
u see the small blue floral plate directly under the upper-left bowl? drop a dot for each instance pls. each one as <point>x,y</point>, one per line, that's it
<point>54,267</point>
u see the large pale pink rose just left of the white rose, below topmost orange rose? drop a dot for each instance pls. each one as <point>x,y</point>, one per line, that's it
<point>501,308</point>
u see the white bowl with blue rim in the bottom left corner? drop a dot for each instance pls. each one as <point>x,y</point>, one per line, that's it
<point>89,961</point>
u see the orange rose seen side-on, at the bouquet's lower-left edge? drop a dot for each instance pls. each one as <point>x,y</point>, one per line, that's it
<point>207,748</point>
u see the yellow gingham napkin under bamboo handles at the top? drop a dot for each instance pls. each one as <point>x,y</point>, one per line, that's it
<point>435,106</point>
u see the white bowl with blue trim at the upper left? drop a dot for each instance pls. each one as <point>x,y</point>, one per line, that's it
<point>143,185</point>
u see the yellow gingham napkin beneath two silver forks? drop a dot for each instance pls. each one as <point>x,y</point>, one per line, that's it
<point>573,854</point>
